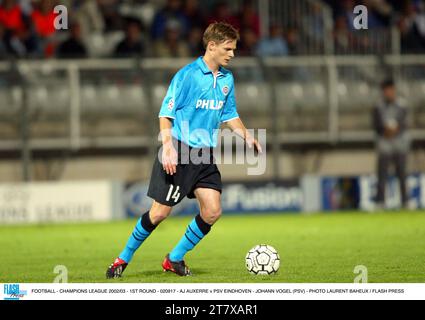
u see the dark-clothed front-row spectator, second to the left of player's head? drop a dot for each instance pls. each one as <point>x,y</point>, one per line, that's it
<point>132,45</point>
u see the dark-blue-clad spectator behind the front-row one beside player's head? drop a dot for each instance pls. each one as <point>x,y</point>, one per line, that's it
<point>172,12</point>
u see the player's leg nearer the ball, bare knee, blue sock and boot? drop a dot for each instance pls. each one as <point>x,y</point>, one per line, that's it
<point>198,228</point>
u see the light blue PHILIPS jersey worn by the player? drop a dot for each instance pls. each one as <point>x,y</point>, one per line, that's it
<point>198,102</point>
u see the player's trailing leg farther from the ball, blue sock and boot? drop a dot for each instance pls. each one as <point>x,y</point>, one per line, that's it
<point>144,227</point>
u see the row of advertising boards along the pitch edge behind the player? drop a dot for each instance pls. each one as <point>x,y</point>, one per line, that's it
<point>84,201</point>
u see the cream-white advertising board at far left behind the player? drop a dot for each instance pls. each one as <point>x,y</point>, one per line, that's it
<point>44,202</point>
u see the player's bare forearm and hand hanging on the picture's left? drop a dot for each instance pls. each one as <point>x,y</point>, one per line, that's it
<point>169,153</point>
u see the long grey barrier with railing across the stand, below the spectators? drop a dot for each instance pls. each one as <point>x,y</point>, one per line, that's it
<point>90,104</point>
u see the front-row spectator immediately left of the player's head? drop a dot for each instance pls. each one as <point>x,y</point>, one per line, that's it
<point>171,46</point>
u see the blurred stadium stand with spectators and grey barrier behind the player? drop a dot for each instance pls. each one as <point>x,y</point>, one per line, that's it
<point>318,90</point>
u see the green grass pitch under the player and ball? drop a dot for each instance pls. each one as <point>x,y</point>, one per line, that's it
<point>315,248</point>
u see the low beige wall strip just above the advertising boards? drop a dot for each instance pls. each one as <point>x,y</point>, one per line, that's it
<point>292,164</point>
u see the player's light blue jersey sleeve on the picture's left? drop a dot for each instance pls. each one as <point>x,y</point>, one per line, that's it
<point>175,95</point>
